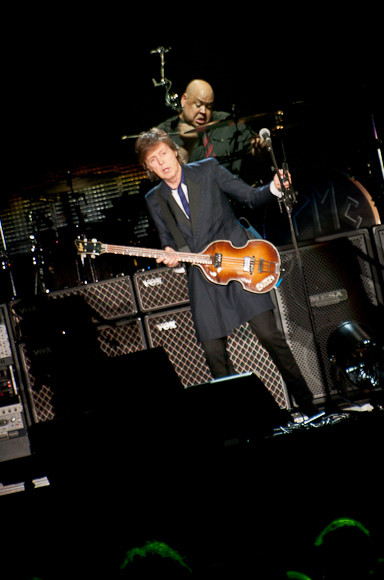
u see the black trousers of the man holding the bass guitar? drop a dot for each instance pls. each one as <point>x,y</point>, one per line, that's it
<point>264,327</point>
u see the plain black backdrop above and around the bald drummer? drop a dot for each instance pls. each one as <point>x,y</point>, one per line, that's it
<point>76,79</point>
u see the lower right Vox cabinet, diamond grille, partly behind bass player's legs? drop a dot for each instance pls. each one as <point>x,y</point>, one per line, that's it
<point>174,331</point>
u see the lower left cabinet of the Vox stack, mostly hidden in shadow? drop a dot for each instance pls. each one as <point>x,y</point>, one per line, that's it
<point>61,381</point>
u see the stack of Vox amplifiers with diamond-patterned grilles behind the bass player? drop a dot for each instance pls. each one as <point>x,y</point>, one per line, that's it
<point>64,332</point>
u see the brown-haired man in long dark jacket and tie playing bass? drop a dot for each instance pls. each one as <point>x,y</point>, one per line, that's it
<point>191,209</point>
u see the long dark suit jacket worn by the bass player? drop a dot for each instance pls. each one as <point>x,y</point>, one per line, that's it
<point>217,310</point>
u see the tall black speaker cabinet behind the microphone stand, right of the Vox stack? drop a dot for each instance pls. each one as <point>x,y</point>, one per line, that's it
<point>341,283</point>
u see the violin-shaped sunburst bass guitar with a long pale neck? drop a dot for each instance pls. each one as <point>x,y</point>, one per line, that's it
<point>256,266</point>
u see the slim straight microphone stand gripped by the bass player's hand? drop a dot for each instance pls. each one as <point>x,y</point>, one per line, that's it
<point>289,198</point>
